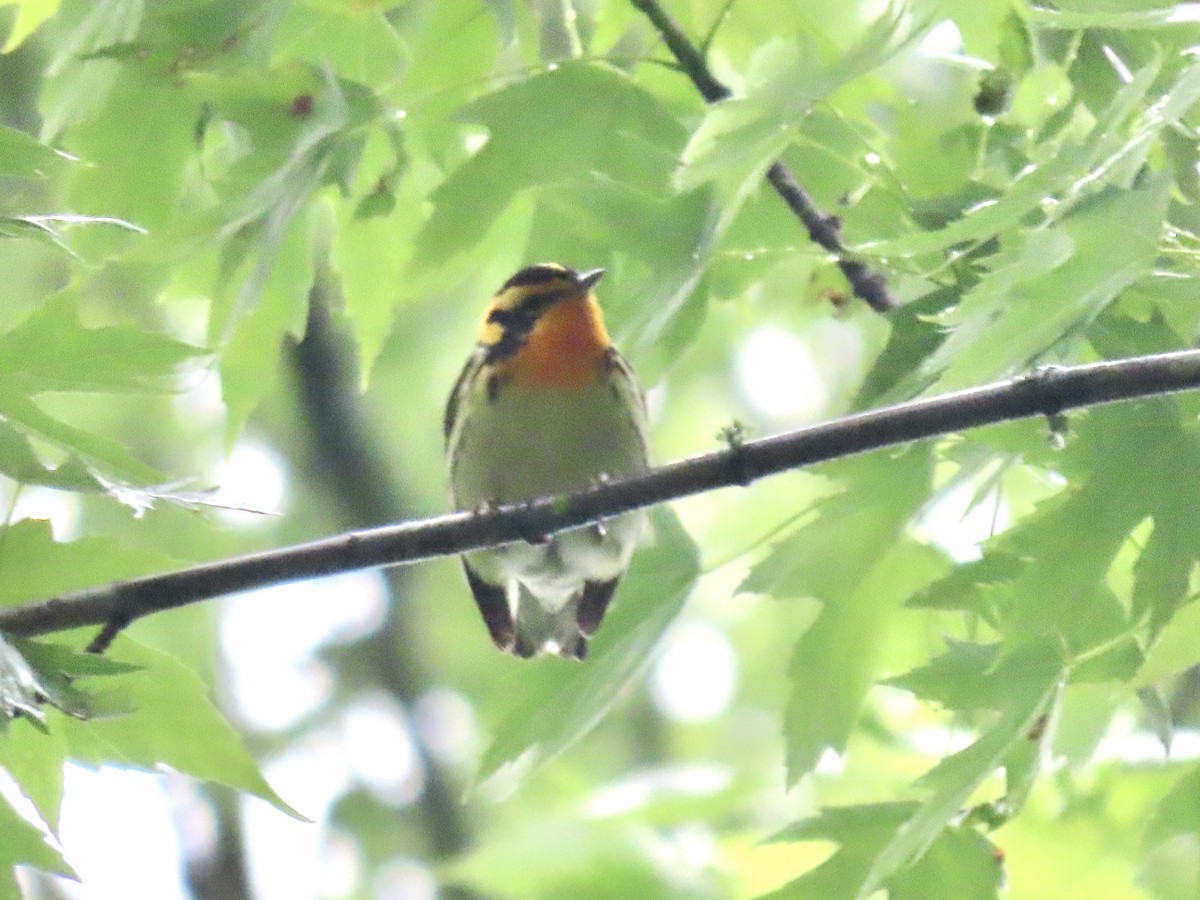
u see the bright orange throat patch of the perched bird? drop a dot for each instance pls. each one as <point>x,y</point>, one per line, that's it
<point>566,349</point>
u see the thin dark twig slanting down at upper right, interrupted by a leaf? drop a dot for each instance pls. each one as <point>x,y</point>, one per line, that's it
<point>824,230</point>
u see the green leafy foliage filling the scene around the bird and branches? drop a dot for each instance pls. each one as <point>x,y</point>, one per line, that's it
<point>932,674</point>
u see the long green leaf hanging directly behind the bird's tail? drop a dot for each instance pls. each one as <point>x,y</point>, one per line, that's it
<point>557,704</point>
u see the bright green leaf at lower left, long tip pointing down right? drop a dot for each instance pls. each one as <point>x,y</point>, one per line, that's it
<point>173,723</point>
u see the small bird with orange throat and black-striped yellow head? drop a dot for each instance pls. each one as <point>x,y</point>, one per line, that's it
<point>547,406</point>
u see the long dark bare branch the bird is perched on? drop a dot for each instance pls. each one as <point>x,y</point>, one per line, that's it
<point>1045,393</point>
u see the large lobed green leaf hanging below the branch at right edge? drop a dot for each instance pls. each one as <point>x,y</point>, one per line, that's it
<point>1048,575</point>
